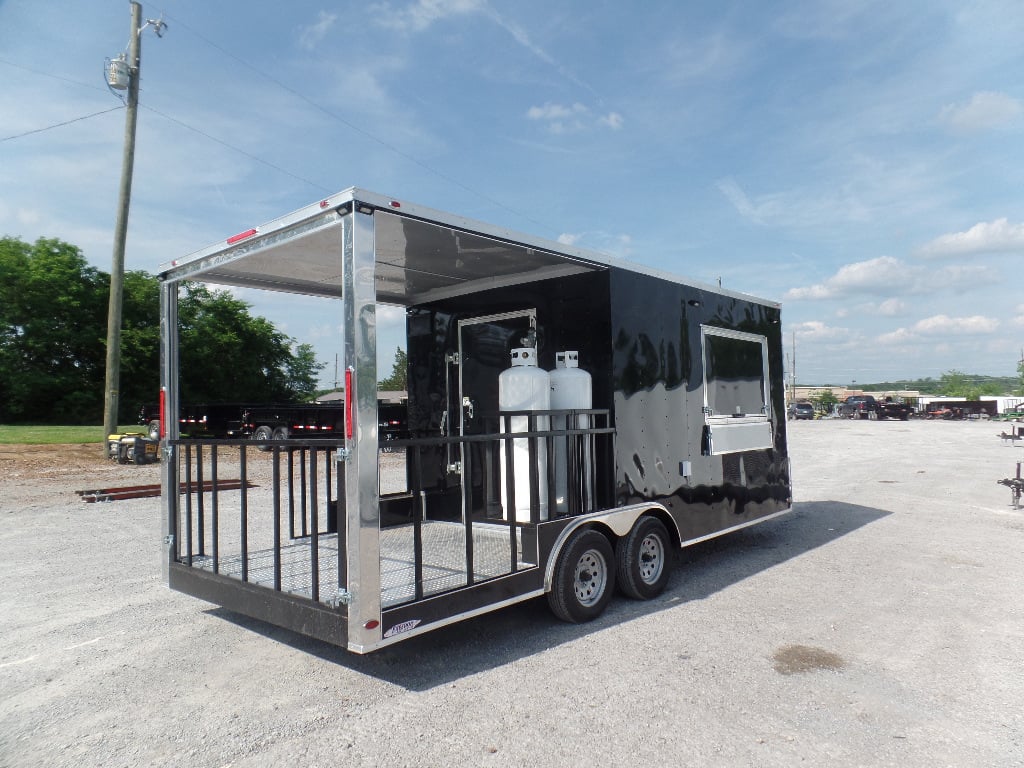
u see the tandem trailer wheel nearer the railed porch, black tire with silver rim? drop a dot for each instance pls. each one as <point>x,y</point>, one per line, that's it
<point>584,578</point>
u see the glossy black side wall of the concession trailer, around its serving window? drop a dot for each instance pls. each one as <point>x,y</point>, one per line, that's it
<point>659,379</point>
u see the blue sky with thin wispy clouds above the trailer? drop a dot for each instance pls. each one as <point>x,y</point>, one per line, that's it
<point>861,162</point>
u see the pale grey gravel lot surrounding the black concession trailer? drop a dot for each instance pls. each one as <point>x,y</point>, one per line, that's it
<point>878,625</point>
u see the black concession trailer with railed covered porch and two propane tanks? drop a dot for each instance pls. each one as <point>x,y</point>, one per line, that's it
<point>572,421</point>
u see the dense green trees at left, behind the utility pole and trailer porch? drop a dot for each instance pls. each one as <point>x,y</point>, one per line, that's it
<point>54,343</point>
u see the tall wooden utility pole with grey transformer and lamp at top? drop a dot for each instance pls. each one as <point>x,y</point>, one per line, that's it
<point>123,74</point>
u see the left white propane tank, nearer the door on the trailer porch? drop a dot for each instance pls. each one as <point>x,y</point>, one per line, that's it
<point>525,388</point>
